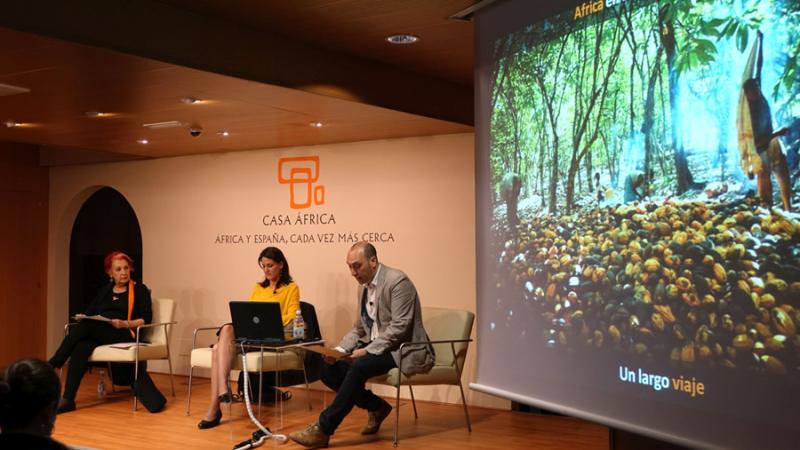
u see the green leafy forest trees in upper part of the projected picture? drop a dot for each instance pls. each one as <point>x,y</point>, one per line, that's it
<point>544,89</point>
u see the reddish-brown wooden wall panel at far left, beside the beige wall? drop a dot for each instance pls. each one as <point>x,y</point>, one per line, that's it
<point>23,253</point>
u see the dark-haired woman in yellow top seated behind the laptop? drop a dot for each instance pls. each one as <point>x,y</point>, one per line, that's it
<point>276,287</point>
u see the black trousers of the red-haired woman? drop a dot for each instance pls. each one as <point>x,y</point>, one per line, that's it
<point>78,346</point>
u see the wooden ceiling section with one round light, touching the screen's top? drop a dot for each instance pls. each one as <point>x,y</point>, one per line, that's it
<point>359,27</point>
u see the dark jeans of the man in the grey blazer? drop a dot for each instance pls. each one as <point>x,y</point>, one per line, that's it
<point>348,380</point>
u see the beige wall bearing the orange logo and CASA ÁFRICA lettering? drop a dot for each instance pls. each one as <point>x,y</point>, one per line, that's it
<point>421,190</point>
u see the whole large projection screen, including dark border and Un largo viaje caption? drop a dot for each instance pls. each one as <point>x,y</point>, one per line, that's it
<point>638,250</point>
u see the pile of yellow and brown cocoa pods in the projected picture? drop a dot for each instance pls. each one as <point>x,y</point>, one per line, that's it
<point>695,283</point>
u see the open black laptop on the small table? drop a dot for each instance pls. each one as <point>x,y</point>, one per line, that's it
<point>258,323</point>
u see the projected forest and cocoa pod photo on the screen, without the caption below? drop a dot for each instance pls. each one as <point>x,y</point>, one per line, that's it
<point>644,164</point>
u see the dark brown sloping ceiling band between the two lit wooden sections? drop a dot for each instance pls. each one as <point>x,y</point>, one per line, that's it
<point>218,44</point>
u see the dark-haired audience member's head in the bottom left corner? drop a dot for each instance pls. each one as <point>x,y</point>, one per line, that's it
<point>29,393</point>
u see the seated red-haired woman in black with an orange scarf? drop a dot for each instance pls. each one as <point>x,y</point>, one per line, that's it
<point>126,304</point>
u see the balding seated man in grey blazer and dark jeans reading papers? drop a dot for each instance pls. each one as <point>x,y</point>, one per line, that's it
<point>389,314</point>
